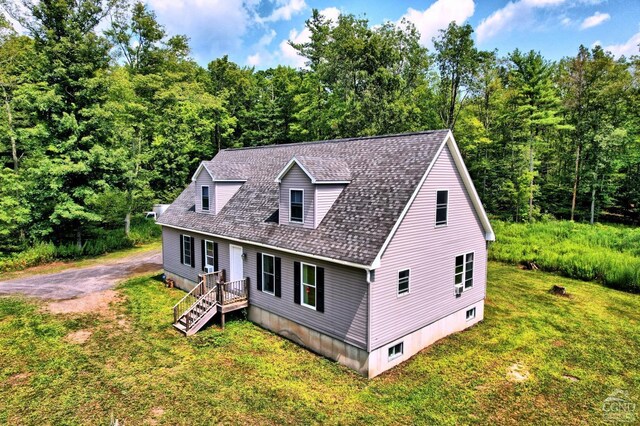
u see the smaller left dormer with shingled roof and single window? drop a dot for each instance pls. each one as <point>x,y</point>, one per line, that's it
<point>215,184</point>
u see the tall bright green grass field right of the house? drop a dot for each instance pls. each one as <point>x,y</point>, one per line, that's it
<point>609,254</point>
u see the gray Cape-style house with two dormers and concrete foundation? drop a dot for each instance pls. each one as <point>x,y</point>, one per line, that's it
<point>364,250</point>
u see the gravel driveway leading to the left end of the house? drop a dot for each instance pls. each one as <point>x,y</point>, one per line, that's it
<point>78,282</point>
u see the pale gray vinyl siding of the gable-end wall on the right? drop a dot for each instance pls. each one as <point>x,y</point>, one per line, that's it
<point>430,254</point>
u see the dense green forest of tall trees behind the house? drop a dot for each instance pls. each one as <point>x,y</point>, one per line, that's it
<point>103,114</point>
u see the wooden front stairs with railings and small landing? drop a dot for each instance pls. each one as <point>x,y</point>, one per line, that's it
<point>212,295</point>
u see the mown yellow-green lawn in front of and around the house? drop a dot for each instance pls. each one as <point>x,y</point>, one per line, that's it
<point>572,352</point>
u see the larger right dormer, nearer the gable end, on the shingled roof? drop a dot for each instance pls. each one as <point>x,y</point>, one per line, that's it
<point>308,187</point>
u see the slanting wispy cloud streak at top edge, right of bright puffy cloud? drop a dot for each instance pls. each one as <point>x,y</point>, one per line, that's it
<point>515,13</point>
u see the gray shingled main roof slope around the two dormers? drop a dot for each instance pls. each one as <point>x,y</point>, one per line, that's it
<point>384,172</point>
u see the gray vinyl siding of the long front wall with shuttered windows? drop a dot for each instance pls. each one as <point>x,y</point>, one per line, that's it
<point>345,288</point>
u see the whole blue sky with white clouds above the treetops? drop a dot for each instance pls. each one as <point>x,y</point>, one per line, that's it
<point>255,32</point>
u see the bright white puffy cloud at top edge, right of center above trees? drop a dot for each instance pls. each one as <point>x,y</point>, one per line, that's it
<point>438,16</point>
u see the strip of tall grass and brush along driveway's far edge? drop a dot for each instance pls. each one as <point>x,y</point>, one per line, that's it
<point>101,242</point>
